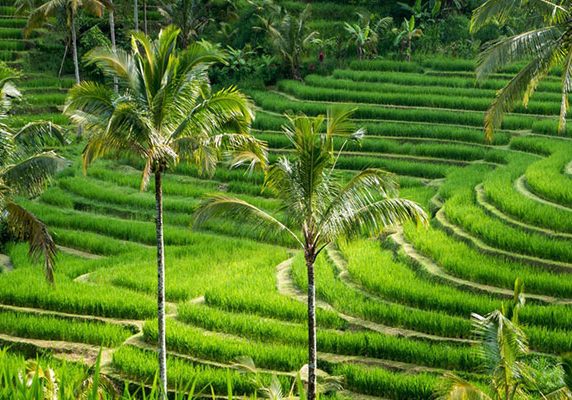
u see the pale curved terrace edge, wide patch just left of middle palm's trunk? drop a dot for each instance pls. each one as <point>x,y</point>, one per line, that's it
<point>286,287</point>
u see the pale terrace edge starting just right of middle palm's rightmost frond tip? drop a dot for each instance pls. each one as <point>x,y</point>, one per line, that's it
<point>457,231</point>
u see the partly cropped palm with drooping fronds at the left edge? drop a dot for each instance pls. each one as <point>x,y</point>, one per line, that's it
<point>25,169</point>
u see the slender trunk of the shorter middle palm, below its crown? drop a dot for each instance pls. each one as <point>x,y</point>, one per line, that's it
<point>312,344</point>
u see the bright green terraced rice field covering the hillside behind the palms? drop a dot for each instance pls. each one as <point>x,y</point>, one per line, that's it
<point>393,313</point>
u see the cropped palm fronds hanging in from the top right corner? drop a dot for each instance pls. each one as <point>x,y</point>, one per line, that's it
<point>543,48</point>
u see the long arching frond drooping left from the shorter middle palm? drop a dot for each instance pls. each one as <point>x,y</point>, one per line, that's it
<point>241,211</point>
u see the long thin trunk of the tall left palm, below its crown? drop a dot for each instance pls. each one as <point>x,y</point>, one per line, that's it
<point>161,287</point>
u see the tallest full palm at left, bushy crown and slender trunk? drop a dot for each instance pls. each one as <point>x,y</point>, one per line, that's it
<point>165,113</point>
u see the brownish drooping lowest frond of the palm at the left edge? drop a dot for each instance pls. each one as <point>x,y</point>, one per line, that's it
<point>26,226</point>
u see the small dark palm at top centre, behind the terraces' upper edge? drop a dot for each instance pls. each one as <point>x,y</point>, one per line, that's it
<point>290,37</point>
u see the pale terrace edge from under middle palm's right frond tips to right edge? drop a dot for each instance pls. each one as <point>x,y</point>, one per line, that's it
<point>430,267</point>
